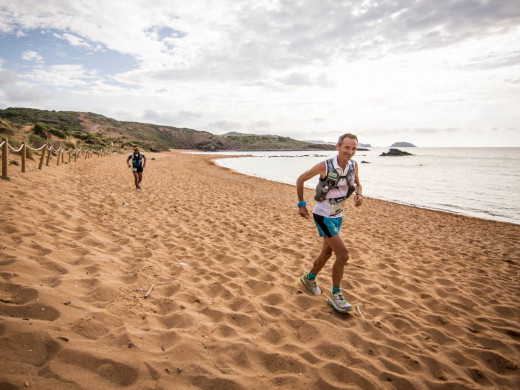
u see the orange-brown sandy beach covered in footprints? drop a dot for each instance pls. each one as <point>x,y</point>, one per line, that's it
<point>437,295</point>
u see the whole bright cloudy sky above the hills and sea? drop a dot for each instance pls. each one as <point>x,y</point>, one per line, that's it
<point>434,73</point>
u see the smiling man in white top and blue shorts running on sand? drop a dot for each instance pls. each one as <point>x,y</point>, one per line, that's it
<point>339,178</point>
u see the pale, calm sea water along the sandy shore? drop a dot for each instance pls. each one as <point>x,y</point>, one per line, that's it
<point>479,182</point>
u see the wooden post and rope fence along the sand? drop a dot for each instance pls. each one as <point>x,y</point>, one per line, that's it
<point>72,154</point>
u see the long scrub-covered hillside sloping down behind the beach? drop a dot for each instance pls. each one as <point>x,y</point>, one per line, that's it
<point>87,128</point>
